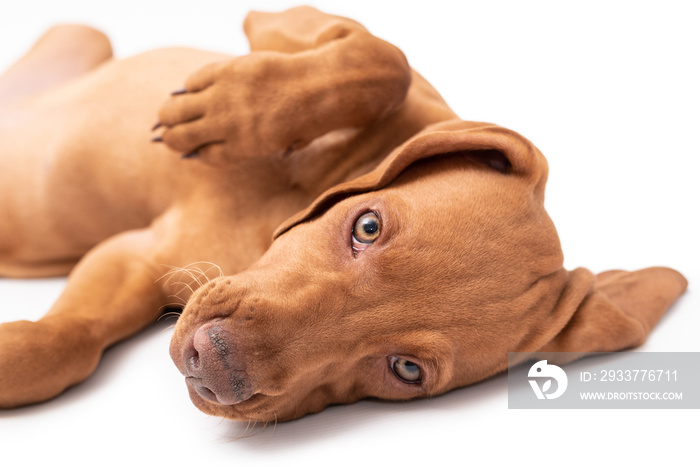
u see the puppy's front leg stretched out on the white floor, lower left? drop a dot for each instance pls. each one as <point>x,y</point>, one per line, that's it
<point>111,294</point>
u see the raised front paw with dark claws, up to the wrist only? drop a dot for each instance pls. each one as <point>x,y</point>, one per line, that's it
<point>232,110</point>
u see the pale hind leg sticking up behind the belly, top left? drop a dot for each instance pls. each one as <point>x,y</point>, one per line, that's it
<point>62,53</point>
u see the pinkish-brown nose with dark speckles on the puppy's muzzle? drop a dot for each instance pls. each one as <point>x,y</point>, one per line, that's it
<point>214,368</point>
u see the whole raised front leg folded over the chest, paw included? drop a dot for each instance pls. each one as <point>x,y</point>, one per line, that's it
<point>309,73</point>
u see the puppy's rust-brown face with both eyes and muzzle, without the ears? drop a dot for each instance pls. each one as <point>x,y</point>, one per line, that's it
<point>397,293</point>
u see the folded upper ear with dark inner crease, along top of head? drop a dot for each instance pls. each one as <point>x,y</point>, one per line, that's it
<point>502,149</point>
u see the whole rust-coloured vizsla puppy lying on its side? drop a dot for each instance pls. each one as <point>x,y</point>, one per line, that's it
<point>333,230</point>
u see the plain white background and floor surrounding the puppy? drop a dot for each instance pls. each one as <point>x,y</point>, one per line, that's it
<point>608,90</point>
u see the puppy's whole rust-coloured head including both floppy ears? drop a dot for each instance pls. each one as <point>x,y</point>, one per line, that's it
<point>414,279</point>
